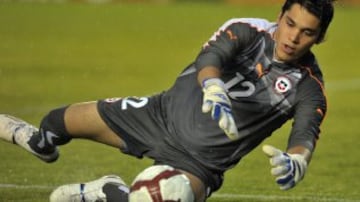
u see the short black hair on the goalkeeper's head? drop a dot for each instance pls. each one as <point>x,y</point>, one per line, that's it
<point>322,9</point>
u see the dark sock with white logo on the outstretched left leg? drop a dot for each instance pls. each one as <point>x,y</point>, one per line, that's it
<point>52,132</point>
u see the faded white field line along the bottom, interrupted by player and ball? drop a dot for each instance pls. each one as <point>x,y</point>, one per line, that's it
<point>236,197</point>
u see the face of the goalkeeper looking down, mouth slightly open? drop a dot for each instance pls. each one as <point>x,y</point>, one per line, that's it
<point>297,31</point>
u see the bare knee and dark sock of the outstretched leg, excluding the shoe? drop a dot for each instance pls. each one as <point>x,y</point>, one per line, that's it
<point>80,120</point>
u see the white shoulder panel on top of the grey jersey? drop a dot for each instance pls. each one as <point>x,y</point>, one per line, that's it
<point>257,23</point>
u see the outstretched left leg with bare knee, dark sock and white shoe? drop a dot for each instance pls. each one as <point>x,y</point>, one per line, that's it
<point>57,128</point>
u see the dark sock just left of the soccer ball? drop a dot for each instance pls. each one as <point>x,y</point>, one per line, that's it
<point>116,192</point>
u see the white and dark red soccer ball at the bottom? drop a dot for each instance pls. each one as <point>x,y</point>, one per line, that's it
<point>161,183</point>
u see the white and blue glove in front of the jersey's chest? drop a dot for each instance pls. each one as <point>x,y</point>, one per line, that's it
<point>216,100</point>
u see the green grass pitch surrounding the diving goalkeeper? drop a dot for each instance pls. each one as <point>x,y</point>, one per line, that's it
<point>56,54</point>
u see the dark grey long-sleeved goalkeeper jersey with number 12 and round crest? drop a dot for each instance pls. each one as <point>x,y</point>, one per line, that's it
<point>264,94</point>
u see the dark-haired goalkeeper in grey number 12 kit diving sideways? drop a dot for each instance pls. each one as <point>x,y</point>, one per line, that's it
<point>250,78</point>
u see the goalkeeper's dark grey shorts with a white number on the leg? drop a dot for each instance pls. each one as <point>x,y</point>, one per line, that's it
<point>141,123</point>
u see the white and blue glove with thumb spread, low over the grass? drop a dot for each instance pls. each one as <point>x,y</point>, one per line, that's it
<point>288,169</point>
